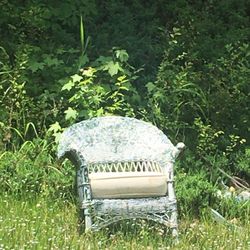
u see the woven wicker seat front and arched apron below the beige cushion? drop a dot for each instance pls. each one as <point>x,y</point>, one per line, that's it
<point>156,209</point>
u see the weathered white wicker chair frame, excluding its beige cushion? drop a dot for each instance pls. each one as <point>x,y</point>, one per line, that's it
<point>113,142</point>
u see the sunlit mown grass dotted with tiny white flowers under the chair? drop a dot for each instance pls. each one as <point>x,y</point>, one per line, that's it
<point>44,223</point>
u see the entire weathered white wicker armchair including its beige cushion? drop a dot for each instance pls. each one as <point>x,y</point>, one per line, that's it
<point>124,170</point>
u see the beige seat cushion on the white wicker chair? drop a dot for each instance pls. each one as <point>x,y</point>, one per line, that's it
<point>128,184</point>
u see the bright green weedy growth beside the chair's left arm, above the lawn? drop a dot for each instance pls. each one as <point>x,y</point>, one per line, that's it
<point>31,171</point>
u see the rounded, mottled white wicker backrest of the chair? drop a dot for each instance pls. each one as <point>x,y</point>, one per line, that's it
<point>112,139</point>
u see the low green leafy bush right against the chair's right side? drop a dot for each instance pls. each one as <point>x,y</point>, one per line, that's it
<point>194,190</point>
